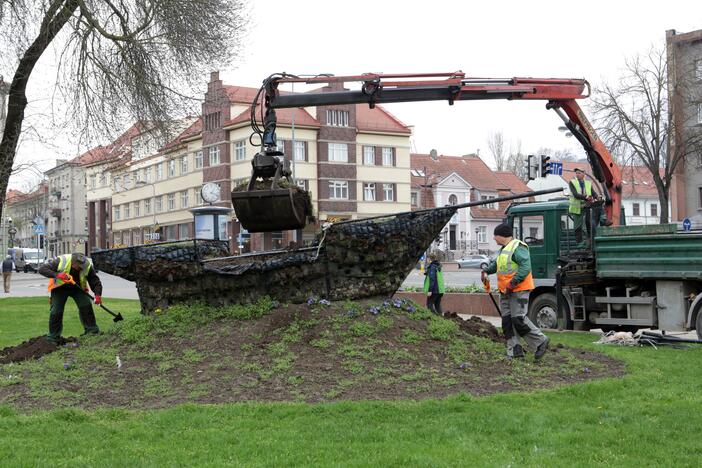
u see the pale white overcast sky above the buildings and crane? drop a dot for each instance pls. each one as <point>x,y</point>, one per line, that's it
<point>488,39</point>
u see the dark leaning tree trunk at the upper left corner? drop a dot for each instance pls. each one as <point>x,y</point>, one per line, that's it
<point>17,98</point>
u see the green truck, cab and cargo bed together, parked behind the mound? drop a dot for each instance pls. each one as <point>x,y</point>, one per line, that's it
<point>615,278</point>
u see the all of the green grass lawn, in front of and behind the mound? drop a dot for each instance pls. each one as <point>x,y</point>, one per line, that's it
<point>651,417</point>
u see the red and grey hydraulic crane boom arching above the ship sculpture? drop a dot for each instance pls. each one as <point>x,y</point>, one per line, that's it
<point>560,94</point>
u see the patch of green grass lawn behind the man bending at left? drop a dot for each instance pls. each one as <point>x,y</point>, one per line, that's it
<point>22,318</point>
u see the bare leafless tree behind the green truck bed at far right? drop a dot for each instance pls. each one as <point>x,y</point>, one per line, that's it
<point>633,120</point>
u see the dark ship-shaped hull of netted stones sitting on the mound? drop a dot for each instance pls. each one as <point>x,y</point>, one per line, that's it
<point>349,260</point>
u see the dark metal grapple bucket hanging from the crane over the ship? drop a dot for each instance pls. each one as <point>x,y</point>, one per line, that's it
<point>272,210</point>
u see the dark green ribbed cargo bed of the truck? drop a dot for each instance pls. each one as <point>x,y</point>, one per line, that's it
<point>648,252</point>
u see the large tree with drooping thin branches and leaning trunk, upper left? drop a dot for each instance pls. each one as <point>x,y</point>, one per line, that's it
<point>118,60</point>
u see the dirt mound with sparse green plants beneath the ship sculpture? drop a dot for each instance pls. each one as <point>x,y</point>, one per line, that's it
<point>303,352</point>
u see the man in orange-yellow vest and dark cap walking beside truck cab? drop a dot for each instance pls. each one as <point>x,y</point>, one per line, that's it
<point>515,282</point>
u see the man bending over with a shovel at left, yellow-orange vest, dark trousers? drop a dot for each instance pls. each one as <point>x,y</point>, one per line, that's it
<point>69,276</point>
